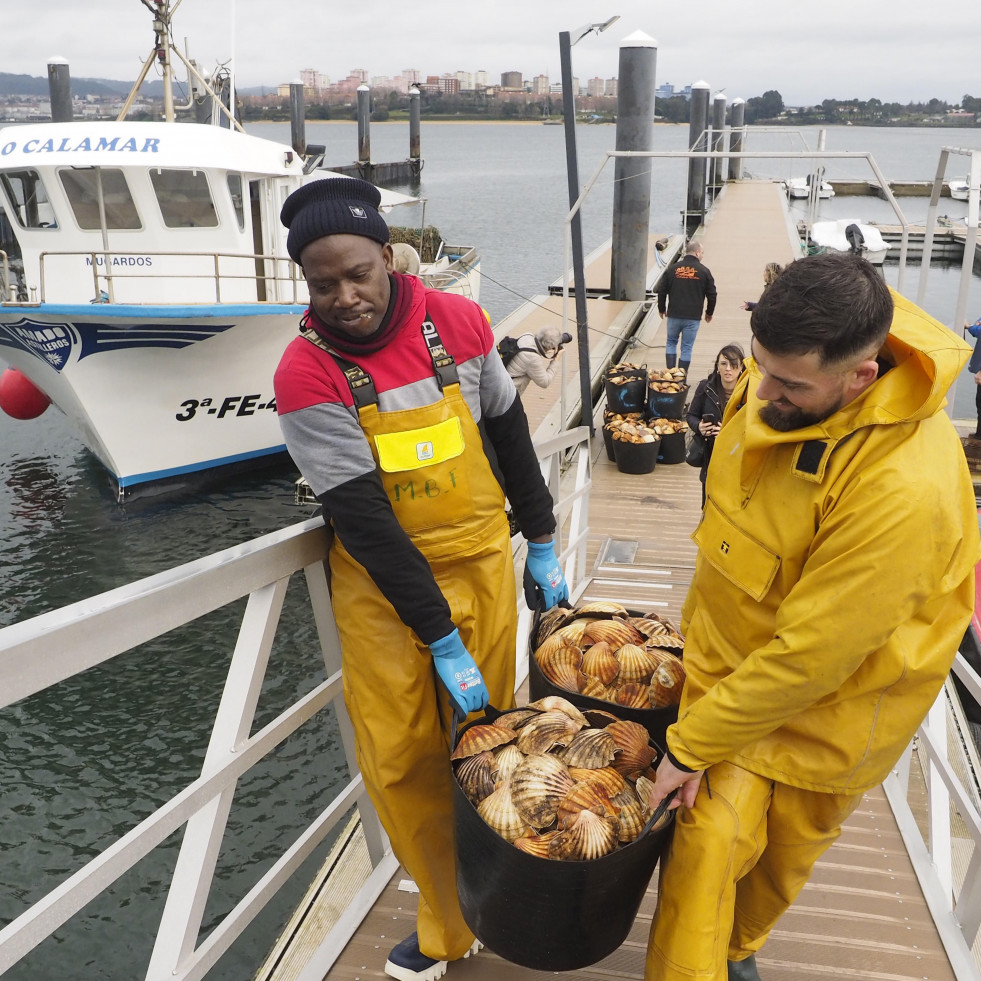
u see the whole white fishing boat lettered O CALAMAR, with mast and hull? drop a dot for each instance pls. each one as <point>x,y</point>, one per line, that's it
<point>149,293</point>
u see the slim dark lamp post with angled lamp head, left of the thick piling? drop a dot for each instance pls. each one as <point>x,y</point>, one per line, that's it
<point>566,41</point>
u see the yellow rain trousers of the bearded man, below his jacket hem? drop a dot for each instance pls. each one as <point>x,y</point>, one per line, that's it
<point>750,848</point>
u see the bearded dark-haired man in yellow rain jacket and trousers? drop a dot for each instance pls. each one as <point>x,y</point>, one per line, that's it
<point>834,581</point>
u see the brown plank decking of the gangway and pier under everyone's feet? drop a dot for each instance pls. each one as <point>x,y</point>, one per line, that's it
<point>862,915</point>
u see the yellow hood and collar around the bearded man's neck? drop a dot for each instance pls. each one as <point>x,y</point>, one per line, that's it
<point>924,358</point>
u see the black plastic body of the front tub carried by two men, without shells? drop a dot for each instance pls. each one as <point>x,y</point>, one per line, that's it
<point>543,914</point>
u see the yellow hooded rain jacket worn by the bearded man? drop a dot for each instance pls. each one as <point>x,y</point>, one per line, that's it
<point>835,576</point>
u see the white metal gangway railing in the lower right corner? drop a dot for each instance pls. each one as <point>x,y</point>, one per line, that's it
<point>953,827</point>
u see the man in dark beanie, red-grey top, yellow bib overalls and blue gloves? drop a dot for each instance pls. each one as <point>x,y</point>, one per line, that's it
<point>394,402</point>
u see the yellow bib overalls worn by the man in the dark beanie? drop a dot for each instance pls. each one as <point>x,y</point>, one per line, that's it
<point>453,509</point>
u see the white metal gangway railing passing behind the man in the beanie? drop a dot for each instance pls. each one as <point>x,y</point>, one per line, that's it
<point>47,650</point>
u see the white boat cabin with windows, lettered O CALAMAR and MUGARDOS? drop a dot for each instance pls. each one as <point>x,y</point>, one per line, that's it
<point>118,211</point>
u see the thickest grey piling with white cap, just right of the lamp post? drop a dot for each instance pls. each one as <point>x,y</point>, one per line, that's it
<point>632,175</point>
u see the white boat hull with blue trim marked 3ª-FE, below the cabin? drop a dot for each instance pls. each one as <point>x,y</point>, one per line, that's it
<point>163,398</point>
